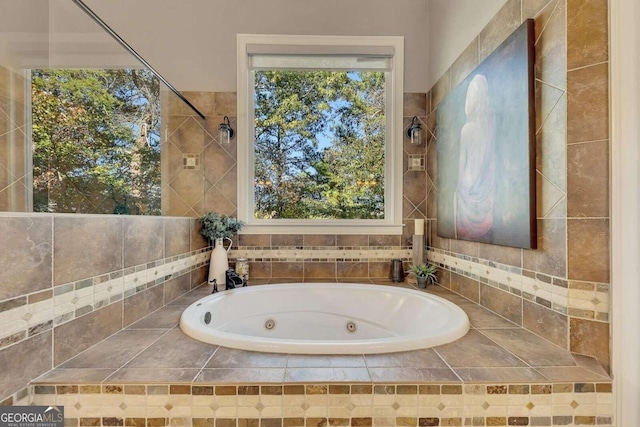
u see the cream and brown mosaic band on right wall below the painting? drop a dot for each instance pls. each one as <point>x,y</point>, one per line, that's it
<point>578,299</point>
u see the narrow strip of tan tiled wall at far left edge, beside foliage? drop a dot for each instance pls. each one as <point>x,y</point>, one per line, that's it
<point>13,143</point>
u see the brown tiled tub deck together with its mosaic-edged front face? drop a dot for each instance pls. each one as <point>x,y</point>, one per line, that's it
<point>499,374</point>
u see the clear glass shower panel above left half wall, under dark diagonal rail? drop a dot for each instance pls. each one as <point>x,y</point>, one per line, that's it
<point>82,121</point>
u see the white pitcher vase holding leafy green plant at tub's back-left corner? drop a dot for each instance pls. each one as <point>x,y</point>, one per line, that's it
<point>216,228</point>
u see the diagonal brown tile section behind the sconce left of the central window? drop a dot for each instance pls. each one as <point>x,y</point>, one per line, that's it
<point>198,174</point>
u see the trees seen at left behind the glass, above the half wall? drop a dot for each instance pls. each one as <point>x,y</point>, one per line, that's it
<point>96,141</point>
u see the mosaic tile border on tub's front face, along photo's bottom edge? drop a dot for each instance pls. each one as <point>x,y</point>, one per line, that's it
<point>331,404</point>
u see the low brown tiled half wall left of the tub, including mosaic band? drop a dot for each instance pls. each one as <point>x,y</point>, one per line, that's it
<point>70,281</point>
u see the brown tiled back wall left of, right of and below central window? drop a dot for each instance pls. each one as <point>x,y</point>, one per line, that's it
<point>212,186</point>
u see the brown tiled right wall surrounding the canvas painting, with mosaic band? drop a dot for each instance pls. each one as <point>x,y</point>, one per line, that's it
<point>560,290</point>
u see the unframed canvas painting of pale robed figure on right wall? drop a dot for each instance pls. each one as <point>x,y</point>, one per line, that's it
<point>486,149</point>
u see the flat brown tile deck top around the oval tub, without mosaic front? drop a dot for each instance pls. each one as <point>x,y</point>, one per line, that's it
<point>154,350</point>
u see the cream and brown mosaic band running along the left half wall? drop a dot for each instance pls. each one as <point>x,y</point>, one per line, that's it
<point>28,315</point>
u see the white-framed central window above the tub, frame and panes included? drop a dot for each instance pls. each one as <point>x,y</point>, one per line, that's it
<point>320,128</point>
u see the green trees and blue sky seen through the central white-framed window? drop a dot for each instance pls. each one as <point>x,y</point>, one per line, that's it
<point>319,144</point>
